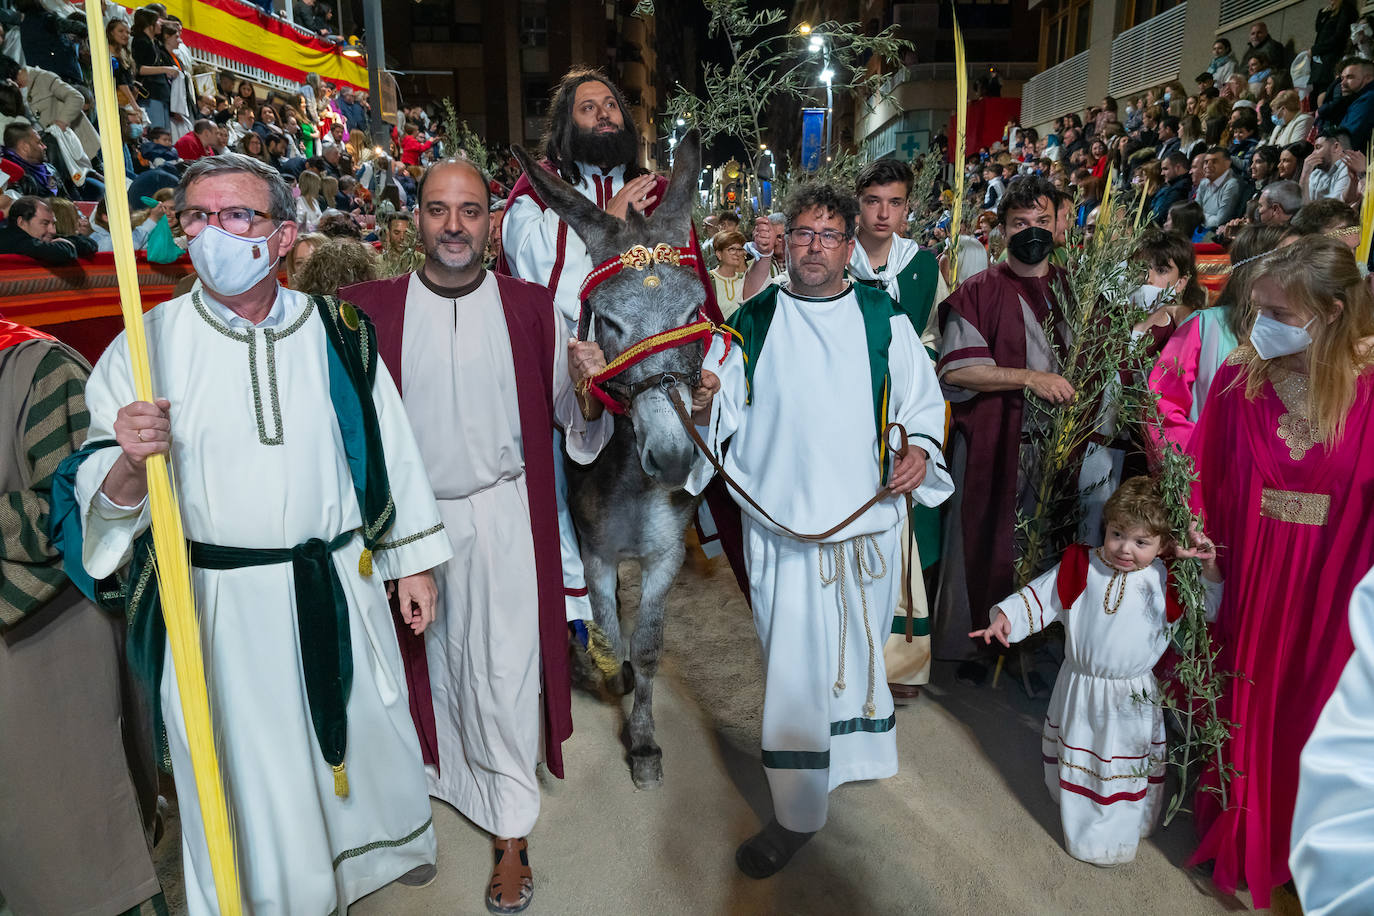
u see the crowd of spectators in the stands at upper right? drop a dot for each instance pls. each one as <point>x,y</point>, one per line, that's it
<point>1265,131</point>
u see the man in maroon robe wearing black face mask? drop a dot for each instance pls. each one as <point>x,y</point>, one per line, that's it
<point>994,351</point>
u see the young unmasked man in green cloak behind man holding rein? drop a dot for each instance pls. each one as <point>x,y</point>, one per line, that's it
<point>910,275</point>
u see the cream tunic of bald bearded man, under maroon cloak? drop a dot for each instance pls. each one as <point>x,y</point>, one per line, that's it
<point>484,648</point>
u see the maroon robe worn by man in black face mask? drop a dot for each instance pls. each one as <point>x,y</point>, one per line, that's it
<point>991,425</point>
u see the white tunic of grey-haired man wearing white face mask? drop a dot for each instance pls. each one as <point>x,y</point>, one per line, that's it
<point>262,465</point>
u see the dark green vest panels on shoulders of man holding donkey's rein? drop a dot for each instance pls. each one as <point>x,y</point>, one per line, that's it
<point>750,326</point>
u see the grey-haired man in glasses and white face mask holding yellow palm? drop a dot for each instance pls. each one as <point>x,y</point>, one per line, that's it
<point>304,495</point>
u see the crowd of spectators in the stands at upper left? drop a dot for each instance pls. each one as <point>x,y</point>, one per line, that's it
<point>350,183</point>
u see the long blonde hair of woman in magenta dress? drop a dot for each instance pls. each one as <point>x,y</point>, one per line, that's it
<point>1318,277</point>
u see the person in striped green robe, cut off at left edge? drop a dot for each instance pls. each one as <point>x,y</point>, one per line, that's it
<point>72,833</point>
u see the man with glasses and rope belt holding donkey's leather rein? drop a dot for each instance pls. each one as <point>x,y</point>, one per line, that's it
<point>804,391</point>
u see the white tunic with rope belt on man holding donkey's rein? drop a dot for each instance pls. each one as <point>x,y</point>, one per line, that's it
<point>807,450</point>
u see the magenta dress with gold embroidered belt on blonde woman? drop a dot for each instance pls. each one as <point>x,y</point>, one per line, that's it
<point>1292,523</point>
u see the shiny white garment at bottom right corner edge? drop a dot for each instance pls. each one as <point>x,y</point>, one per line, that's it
<point>1333,821</point>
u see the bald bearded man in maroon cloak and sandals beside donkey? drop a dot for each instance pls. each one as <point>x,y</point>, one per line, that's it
<point>486,371</point>
